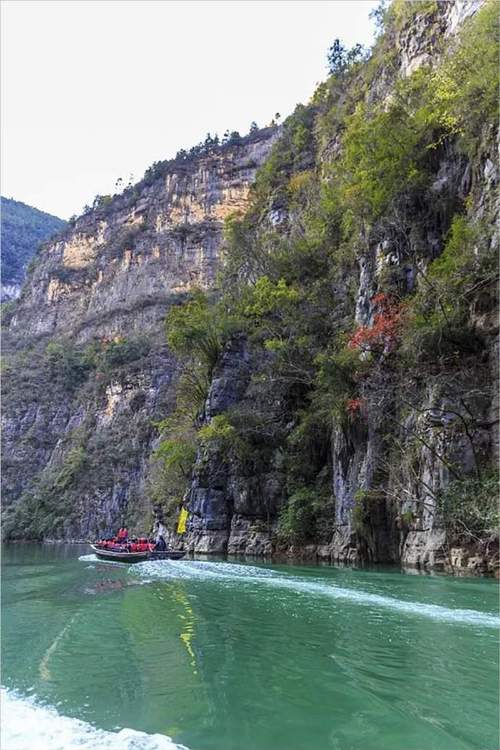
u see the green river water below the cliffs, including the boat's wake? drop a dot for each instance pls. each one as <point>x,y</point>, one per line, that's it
<point>228,656</point>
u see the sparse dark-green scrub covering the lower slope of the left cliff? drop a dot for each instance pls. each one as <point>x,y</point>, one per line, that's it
<point>60,378</point>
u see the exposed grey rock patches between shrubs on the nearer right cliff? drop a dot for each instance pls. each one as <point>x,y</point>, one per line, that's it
<point>236,511</point>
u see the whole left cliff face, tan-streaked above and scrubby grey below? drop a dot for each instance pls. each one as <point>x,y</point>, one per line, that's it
<point>106,283</point>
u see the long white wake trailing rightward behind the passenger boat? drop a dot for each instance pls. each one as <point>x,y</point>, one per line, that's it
<point>169,569</point>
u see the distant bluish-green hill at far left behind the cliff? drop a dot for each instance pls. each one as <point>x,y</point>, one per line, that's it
<point>23,229</point>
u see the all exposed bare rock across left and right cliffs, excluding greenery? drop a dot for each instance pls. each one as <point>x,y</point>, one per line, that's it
<point>88,373</point>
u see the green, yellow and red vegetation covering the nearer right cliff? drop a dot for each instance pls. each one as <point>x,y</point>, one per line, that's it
<point>359,178</point>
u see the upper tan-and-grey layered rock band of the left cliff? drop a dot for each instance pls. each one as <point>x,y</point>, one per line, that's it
<point>120,266</point>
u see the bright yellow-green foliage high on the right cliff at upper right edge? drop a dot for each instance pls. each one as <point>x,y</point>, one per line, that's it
<point>389,150</point>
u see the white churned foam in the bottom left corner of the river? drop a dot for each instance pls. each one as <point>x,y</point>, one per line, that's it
<point>29,726</point>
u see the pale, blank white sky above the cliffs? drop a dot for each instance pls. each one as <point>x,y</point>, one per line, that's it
<point>96,90</point>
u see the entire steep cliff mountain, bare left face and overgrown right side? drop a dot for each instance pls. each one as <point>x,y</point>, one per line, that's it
<point>292,334</point>
